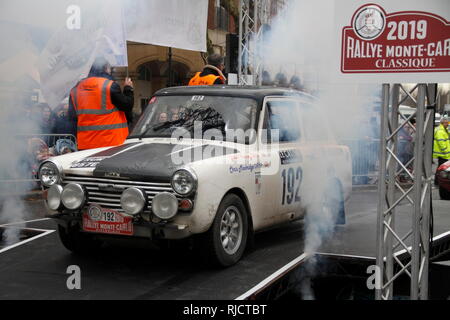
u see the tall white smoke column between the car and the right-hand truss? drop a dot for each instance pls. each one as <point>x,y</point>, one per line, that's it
<point>300,44</point>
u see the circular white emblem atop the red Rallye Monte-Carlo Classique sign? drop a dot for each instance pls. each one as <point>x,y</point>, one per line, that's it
<point>369,22</point>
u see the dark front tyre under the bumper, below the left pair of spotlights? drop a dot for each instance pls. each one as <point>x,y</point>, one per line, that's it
<point>76,241</point>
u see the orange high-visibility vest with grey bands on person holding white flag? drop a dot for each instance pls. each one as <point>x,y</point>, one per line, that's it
<point>100,123</point>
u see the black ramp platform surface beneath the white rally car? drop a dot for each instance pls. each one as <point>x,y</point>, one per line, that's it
<point>37,270</point>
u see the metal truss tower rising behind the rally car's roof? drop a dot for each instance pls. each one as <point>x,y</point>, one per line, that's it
<point>253,15</point>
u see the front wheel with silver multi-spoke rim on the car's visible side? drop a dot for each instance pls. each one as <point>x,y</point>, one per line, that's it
<point>224,243</point>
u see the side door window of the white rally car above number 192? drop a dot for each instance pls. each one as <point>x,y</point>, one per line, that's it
<point>281,119</point>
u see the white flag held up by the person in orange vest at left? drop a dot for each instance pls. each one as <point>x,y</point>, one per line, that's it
<point>70,52</point>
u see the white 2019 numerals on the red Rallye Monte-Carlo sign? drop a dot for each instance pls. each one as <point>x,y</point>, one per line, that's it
<point>407,30</point>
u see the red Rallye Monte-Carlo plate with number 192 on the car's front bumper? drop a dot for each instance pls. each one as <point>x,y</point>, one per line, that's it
<point>100,220</point>
